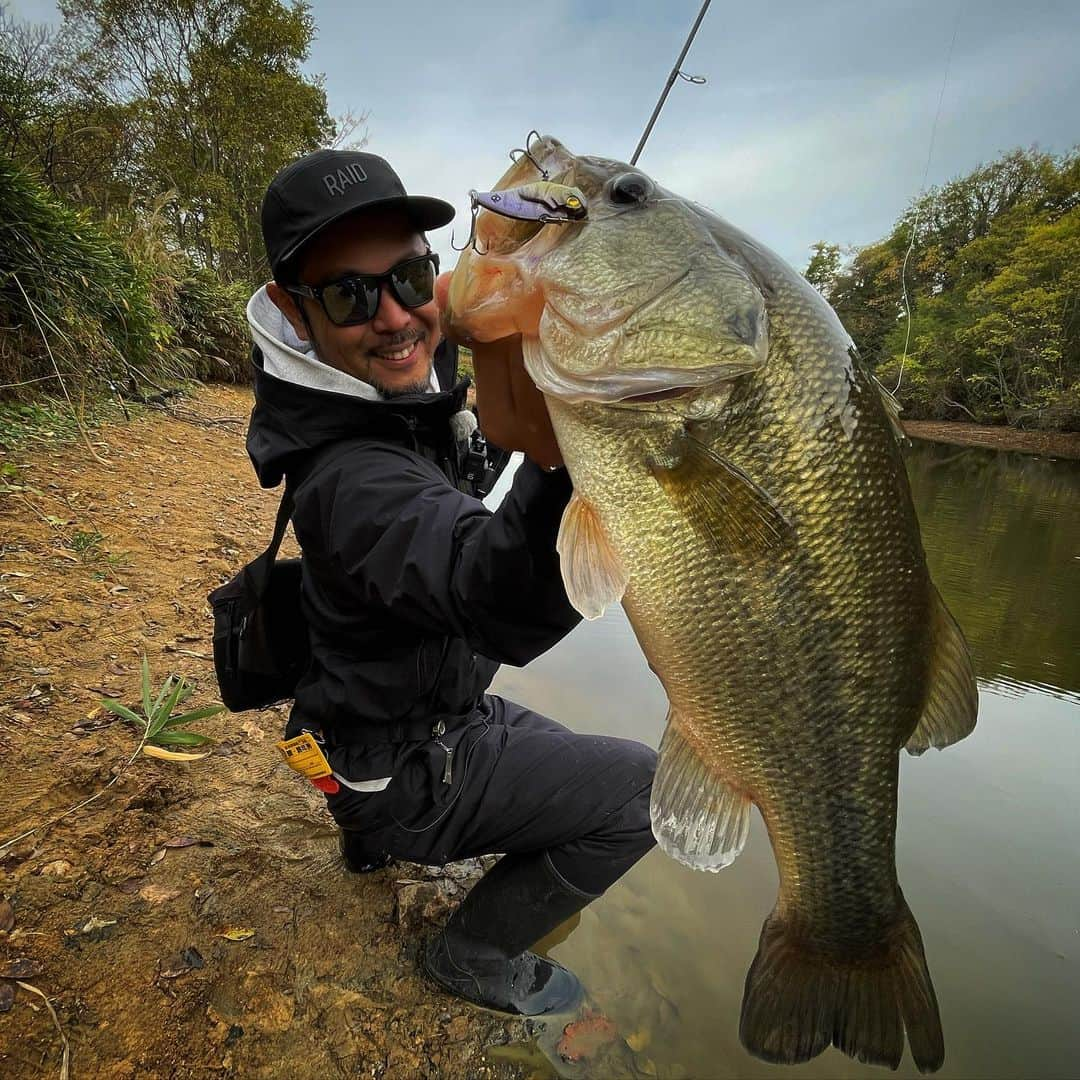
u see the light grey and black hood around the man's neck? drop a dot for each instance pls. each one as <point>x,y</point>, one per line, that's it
<point>303,404</point>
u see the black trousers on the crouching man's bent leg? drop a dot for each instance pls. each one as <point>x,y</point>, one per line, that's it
<point>520,782</point>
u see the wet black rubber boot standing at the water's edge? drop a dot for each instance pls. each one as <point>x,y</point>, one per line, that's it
<point>482,955</point>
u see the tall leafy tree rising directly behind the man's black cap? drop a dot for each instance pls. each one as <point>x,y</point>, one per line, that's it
<point>217,103</point>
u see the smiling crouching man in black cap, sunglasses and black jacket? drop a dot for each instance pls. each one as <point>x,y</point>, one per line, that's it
<point>415,593</point>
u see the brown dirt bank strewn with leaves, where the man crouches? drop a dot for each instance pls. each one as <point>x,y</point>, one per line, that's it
<point>125,934</point>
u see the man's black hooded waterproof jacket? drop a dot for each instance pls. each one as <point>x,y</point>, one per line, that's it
<point>414,591</point>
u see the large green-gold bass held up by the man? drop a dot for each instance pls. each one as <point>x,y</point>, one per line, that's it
<point>738,485</point>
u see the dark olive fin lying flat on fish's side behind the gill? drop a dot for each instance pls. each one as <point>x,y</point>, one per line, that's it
<point>730,509</point>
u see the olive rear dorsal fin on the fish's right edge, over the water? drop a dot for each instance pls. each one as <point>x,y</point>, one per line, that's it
<point>952,703</point>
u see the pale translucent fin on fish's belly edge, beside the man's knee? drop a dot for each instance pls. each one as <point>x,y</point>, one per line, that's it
<point>698,818</point>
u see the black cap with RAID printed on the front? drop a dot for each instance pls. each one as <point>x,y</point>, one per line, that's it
<point>320,188</point>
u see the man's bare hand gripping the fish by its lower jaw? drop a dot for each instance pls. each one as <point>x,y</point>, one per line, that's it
<point>512,412</point>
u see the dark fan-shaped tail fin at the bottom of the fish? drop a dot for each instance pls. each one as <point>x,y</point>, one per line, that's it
<point>799,1002</point>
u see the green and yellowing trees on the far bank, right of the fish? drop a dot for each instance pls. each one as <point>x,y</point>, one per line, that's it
<point>973,302</point>
